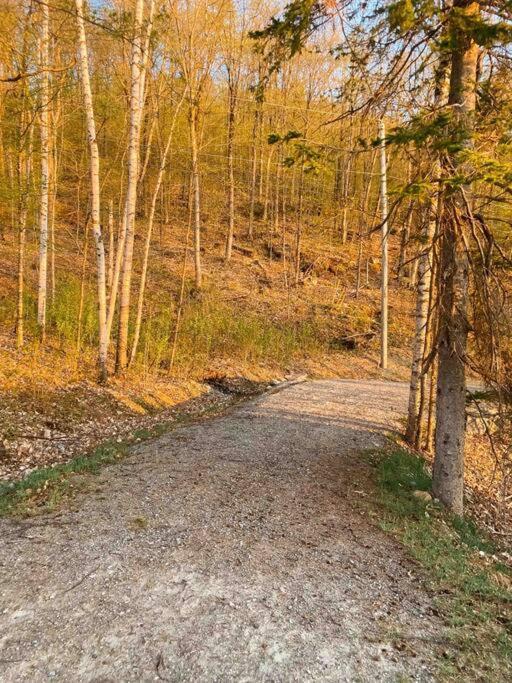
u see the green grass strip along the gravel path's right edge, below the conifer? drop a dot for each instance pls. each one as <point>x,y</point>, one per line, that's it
<point>472,588</point>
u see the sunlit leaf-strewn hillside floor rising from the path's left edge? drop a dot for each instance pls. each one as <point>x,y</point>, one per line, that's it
<point>247,322</point>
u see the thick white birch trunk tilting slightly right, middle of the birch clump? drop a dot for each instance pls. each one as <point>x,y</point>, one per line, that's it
<point>136,98</point>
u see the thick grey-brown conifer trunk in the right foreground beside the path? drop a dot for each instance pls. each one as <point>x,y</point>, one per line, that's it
<point>448,473</point>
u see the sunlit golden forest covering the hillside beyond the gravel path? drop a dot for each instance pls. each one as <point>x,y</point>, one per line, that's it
<point>192,188</point>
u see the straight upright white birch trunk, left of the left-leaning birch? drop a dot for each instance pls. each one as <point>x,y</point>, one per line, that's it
<point>45,179</point>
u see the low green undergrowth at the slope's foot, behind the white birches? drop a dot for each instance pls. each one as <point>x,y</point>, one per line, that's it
<point>210,329</point>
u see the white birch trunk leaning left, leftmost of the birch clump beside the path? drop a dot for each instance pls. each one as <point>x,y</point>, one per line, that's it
<point>95,192</point>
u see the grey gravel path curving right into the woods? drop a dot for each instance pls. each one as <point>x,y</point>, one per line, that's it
<point>229,550</point>
